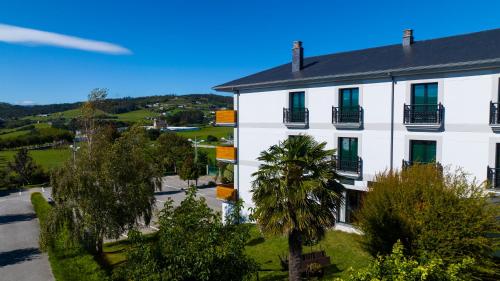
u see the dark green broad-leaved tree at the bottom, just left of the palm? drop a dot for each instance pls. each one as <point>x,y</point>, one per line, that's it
<point>192,244</point>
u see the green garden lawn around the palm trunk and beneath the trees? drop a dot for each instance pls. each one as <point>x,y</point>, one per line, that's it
<point>343,249</point>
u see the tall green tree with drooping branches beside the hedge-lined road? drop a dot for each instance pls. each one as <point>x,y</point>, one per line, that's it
<point>107,189</point>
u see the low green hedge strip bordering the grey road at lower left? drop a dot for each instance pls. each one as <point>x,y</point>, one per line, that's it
<point>69,262</point>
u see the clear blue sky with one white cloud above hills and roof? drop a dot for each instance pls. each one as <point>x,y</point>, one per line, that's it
<point>58,51</point>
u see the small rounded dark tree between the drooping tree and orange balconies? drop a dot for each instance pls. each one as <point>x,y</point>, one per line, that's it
<point>172,149</point>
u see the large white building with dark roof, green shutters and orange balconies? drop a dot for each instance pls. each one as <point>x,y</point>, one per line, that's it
<point>380,108</point>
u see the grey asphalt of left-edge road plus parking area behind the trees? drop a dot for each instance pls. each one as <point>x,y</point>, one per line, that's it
<point>20,257</point>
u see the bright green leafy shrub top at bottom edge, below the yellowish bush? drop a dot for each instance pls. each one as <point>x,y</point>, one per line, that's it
<point>397,266</point>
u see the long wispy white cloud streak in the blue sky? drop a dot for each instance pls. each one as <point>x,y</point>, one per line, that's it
<point>20,35</point>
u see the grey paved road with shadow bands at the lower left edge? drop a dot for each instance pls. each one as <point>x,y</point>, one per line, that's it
<point>20,258</point>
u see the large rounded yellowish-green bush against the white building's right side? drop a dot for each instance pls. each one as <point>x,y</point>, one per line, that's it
<point>433,213</point>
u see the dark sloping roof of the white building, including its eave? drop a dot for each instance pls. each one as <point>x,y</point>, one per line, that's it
<point>471,50</point>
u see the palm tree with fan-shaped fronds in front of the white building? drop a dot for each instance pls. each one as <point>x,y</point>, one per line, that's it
<point>295,193</point>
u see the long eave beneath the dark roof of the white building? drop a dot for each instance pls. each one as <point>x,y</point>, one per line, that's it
<point>451,67</point>
